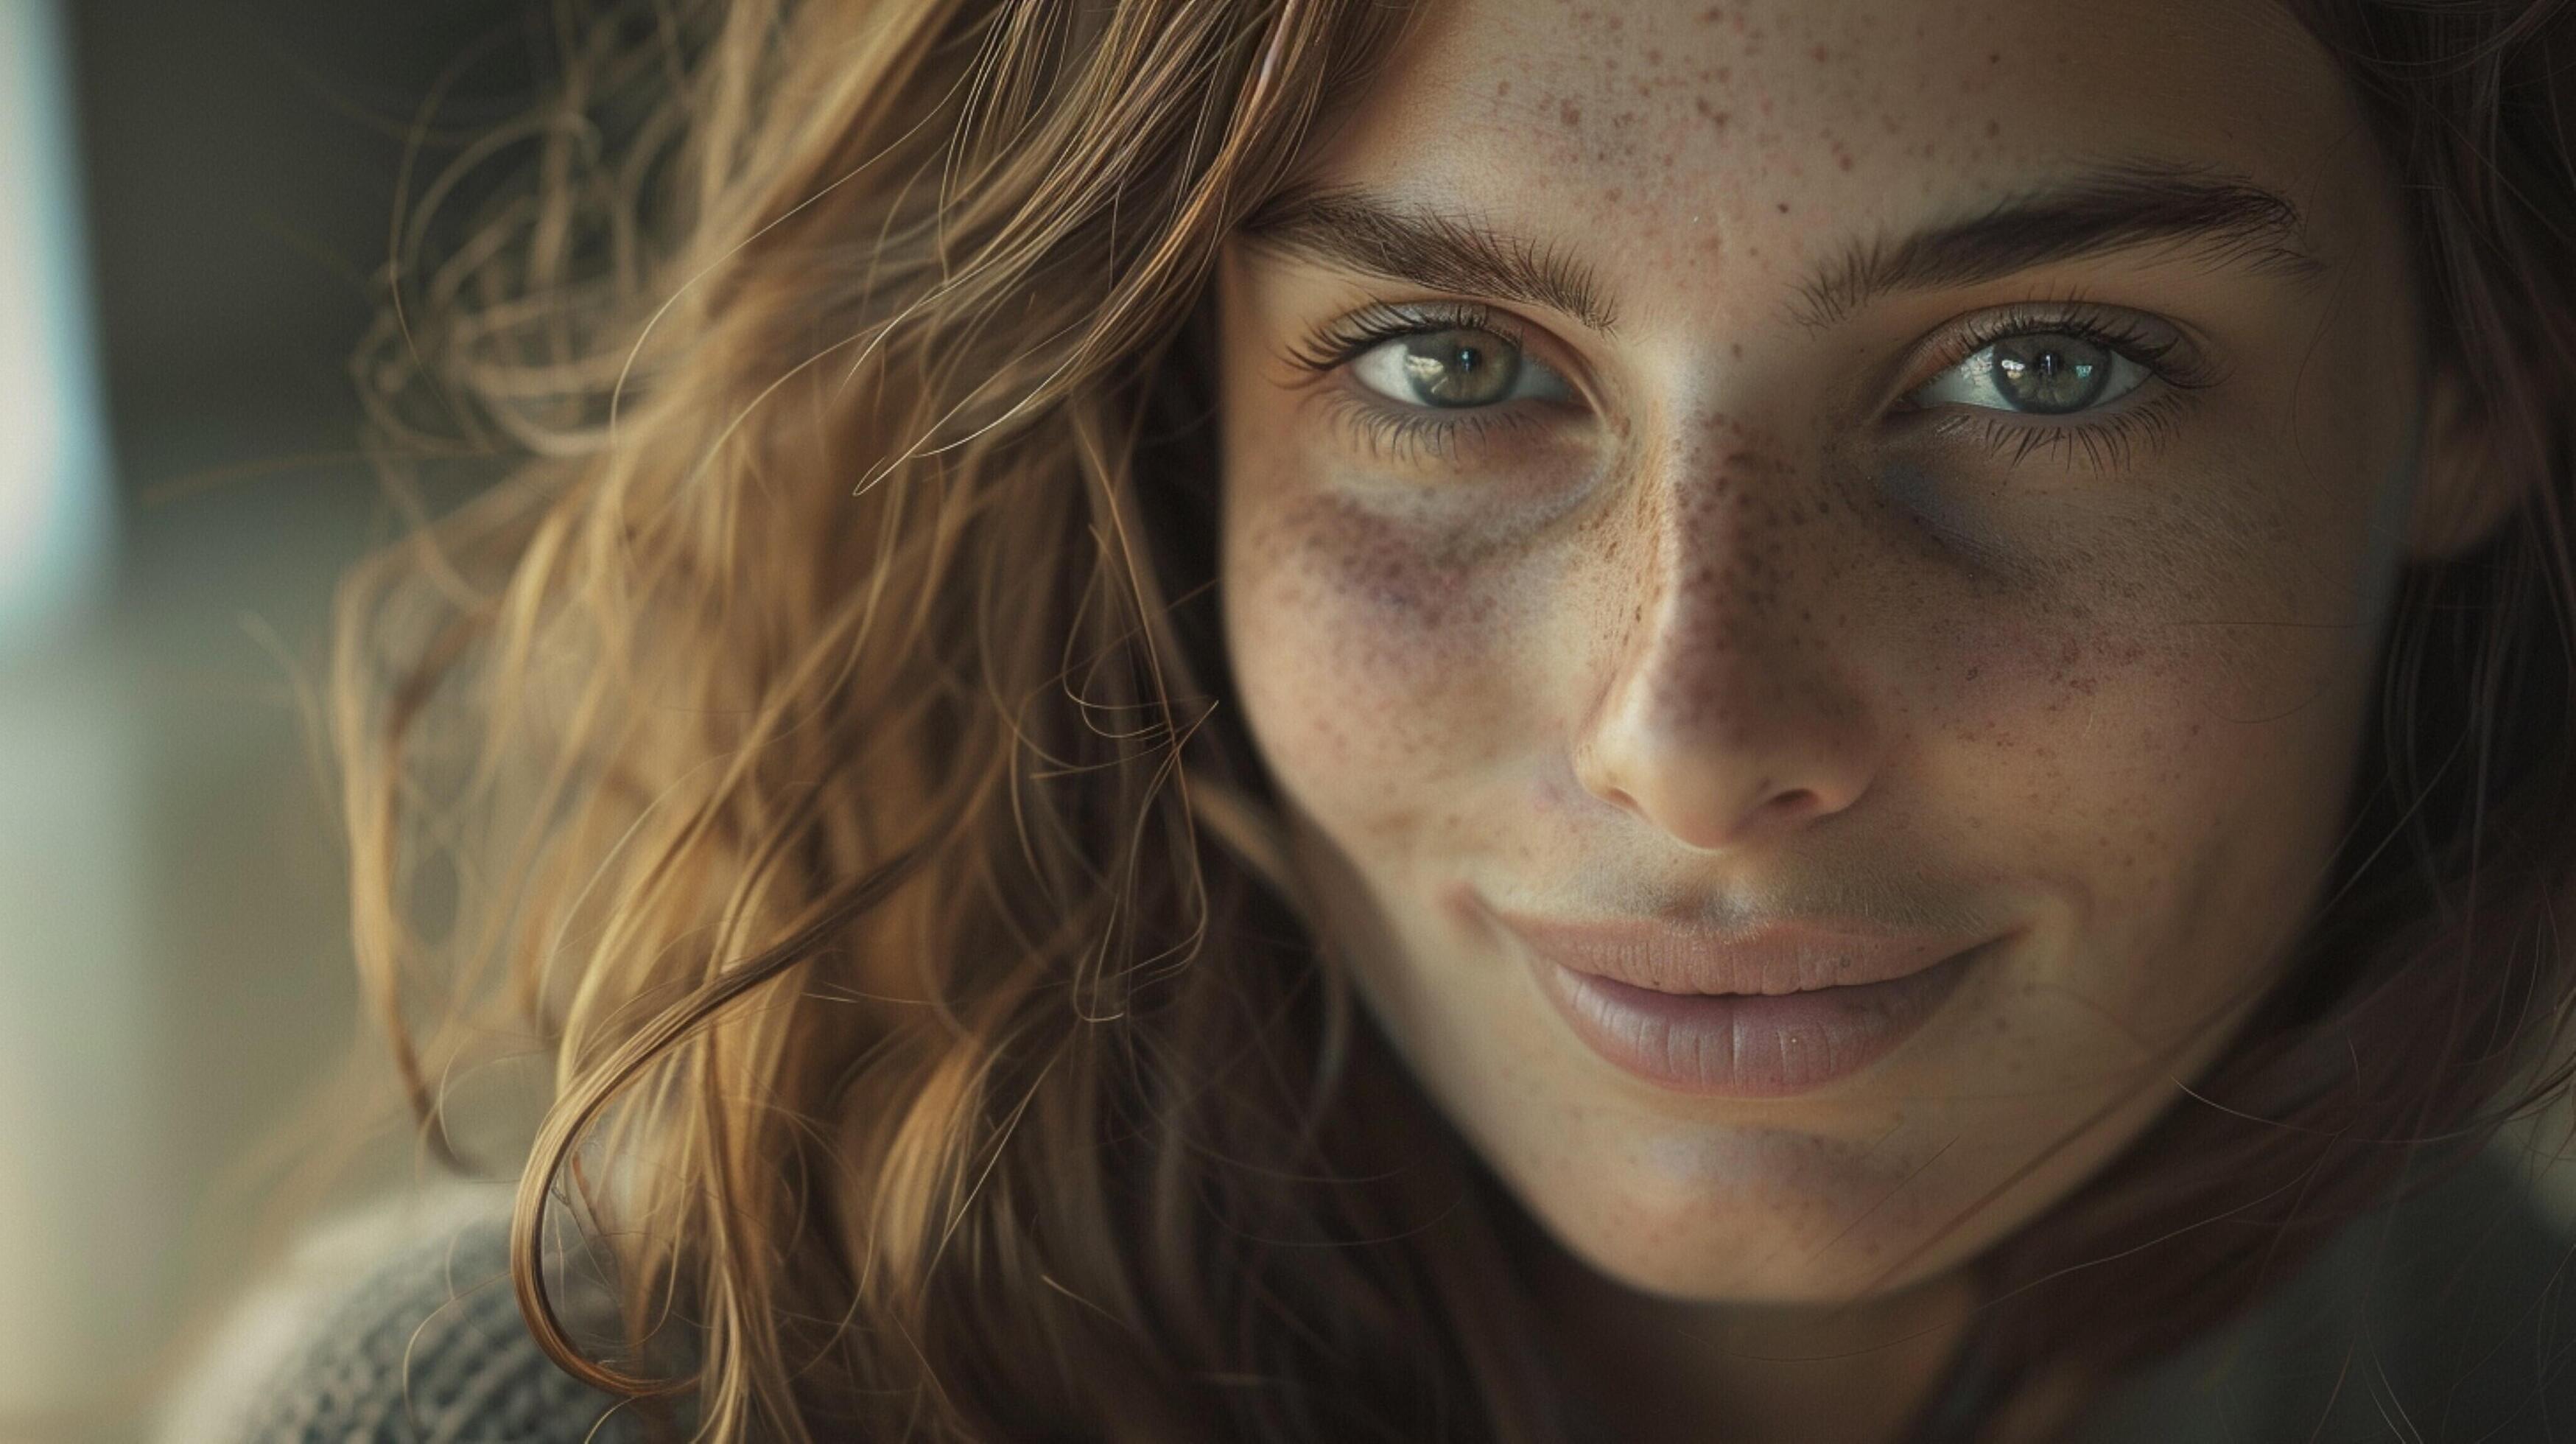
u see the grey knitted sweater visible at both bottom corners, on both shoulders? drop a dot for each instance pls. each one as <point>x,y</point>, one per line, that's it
<point>2441,1319</point>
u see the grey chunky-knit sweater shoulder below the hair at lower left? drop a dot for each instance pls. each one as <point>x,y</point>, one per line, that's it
<point>393,1327</point>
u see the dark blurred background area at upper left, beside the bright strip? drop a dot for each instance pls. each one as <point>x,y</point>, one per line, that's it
<point>241,166</point>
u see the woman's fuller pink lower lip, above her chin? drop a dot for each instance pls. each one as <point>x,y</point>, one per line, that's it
<point>1745,1046</point>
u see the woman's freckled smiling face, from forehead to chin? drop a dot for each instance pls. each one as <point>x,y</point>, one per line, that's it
<point>1810,579</point>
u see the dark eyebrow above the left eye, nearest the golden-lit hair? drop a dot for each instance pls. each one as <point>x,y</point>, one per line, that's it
<point>1343,226</point>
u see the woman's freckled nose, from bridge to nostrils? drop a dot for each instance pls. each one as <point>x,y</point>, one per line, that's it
<point>1727,718</point>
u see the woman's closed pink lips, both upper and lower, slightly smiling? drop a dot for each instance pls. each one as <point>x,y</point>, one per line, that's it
<point>1763,1015</point>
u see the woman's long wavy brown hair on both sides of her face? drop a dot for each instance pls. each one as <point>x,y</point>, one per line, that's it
<point>820,744</point>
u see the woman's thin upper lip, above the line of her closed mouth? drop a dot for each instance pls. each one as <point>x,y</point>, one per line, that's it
<point>1776,958</point>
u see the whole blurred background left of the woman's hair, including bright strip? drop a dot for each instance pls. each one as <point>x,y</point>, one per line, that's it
<point>194,215</point>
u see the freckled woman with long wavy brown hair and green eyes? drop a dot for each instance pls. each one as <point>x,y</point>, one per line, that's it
<point>1761,721</point>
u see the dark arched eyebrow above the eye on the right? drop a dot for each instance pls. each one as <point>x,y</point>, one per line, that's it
<point>2116,208</point>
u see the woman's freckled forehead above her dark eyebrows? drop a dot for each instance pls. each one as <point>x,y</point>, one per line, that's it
<point>1712,141</point>
